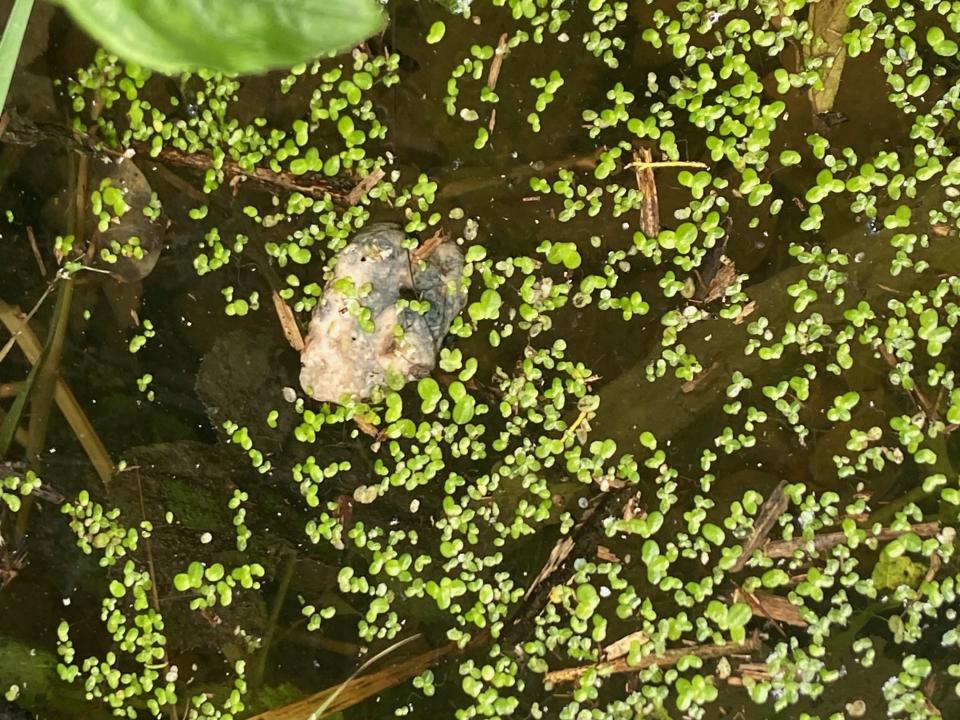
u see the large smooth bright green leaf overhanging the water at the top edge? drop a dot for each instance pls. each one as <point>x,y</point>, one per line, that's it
<point>237,36</point>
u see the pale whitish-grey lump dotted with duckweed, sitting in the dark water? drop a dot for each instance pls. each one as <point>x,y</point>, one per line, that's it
<point>382,316</point>
